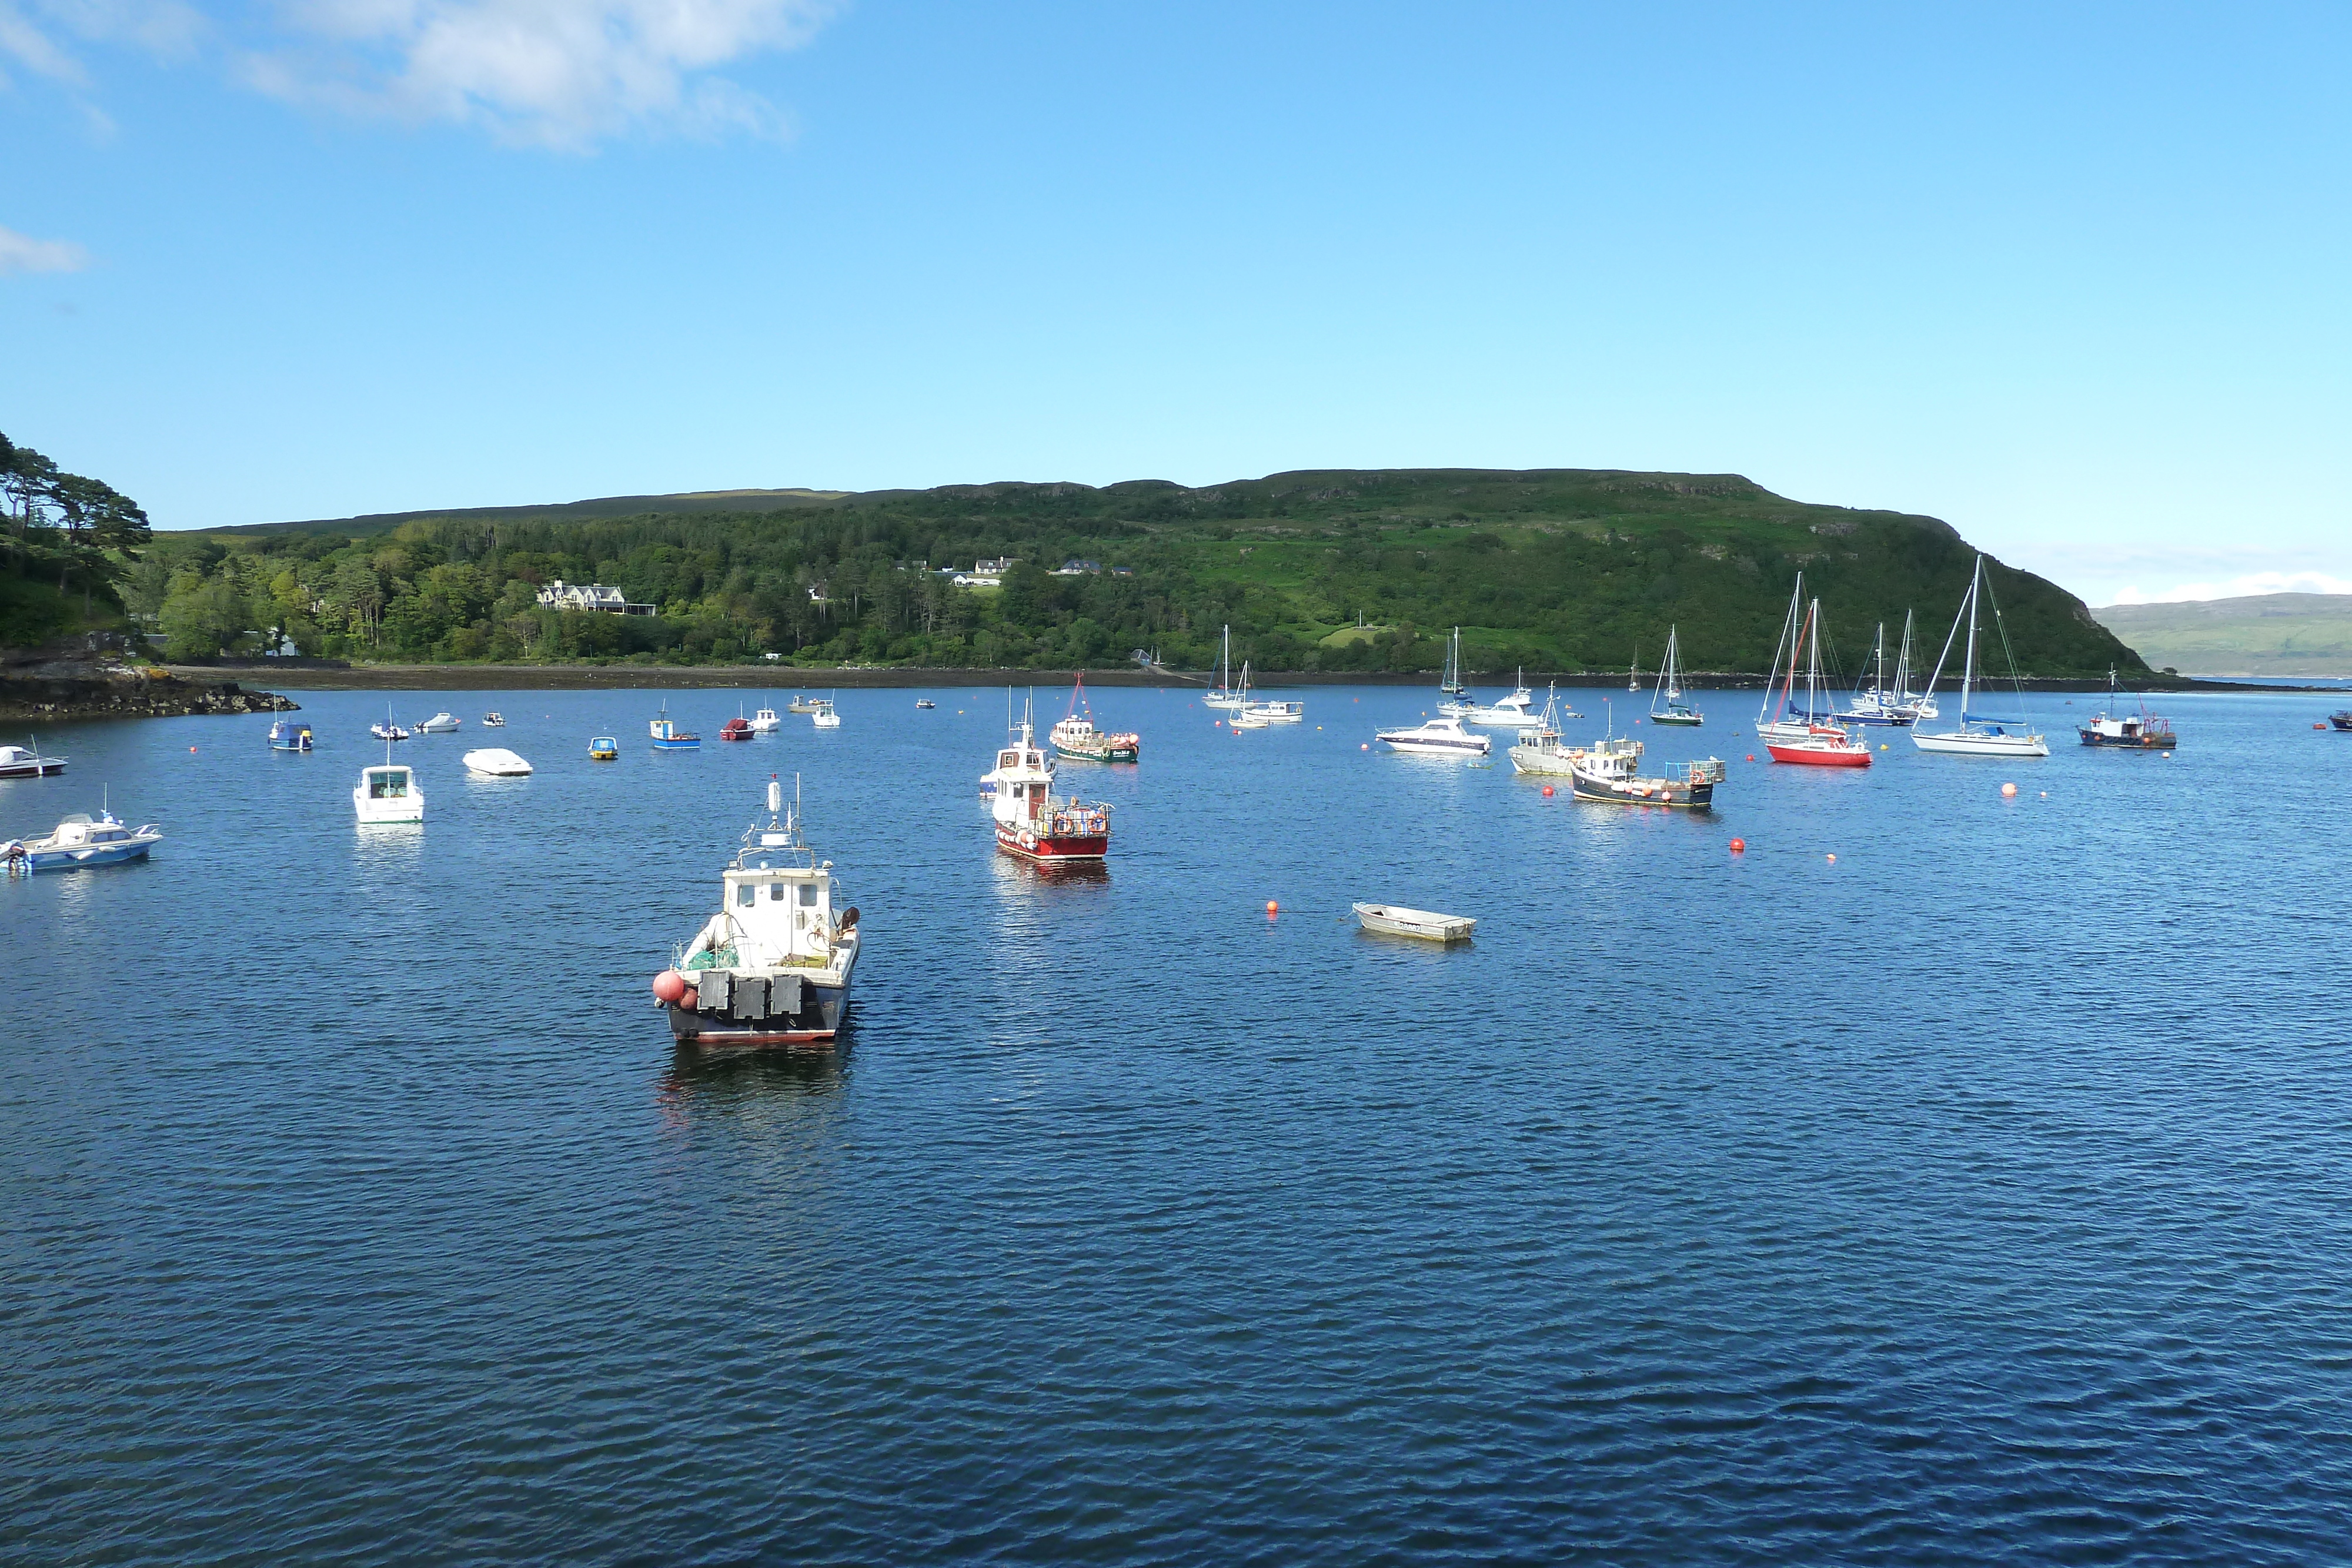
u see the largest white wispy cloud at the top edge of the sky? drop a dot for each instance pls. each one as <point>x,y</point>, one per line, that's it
<point>559,74</point>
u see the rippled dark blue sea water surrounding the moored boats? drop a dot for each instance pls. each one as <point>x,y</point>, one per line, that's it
<point>1982,1195</point>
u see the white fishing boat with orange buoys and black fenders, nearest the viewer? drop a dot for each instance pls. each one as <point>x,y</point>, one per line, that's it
<point>773,967</point>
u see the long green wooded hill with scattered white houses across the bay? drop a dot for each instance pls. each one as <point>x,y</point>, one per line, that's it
<point>1553,570</point>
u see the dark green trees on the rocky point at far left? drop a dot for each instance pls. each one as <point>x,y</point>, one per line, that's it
<point>65,549</point>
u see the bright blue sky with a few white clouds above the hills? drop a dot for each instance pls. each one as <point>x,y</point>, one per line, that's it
<point>2071,279</point>
